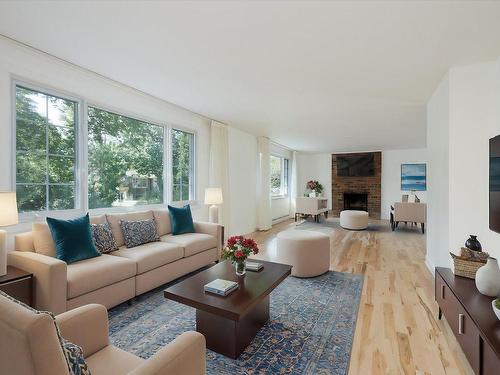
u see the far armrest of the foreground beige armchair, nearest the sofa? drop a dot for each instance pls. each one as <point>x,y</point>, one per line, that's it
<point>86,326</point>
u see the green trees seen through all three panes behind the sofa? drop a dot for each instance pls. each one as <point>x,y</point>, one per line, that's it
<point>125,156</point>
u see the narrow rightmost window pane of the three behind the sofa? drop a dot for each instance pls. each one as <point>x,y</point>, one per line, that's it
<point>182,165</point>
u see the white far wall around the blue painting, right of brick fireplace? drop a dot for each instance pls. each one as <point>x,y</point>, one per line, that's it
<point>391,176</point>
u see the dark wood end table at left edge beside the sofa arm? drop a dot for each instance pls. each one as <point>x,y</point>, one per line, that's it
<point>18,284</point>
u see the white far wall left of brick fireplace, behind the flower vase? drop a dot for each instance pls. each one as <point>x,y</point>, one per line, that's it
<point>315,167</point>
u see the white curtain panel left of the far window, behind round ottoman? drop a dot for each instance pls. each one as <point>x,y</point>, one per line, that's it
<point>264,219</point>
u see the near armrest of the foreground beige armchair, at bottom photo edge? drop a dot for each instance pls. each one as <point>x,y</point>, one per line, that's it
<point>183,356</point>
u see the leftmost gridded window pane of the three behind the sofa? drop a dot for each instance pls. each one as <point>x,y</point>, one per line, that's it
<point>45,151</point>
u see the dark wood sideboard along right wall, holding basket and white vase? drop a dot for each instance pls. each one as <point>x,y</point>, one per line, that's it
<point>471,319</point>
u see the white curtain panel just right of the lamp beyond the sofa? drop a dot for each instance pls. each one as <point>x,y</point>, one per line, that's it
<point>219,168</point>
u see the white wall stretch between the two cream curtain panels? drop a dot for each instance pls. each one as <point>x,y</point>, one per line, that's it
<point>243,161</point>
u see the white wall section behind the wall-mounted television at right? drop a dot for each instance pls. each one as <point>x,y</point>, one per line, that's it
<point>474,119</point>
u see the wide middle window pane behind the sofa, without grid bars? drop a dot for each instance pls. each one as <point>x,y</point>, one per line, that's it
<point>125,160</point>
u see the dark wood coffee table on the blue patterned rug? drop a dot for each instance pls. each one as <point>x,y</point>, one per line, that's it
<point>230,323</point>
